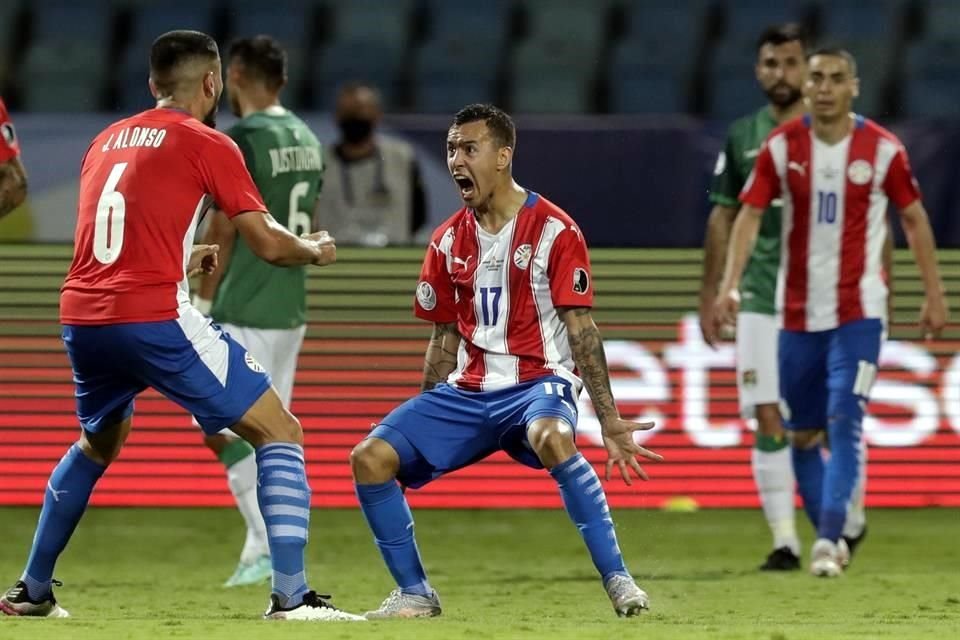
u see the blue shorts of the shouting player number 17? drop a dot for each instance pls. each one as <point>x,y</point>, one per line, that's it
<point>447,428</point>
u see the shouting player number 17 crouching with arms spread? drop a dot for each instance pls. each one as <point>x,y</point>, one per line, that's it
<point>506,283</point>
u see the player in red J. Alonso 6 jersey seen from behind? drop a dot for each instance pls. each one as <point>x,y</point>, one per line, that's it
<point>128,323</point>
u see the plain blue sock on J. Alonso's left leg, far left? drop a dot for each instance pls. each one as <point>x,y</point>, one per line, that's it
<point>64,502</point>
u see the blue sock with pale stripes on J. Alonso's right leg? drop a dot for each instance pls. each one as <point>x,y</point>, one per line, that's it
<point>284,498</point>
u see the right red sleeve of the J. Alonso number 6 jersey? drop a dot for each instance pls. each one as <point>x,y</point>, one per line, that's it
<point>226,178</point>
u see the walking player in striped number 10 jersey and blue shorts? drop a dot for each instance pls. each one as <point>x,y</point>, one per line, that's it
<point>835,172</point>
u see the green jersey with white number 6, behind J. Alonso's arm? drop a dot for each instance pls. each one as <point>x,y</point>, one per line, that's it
<point>285,160</point>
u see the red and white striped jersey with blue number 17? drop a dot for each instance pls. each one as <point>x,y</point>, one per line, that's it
<point>503,291</point>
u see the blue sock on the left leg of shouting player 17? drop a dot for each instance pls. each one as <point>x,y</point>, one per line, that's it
<point>391,522</point>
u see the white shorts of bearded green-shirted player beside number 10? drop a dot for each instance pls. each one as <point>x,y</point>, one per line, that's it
<point>758,382</point>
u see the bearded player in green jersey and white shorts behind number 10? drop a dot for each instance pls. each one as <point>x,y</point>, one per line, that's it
<point>780,68</point>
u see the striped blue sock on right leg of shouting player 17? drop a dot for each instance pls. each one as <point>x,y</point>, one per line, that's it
<point>586,505</point>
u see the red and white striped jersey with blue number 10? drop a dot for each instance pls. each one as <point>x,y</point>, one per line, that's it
<point>834,219</point>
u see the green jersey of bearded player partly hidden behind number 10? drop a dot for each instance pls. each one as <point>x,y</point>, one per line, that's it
<point>744,138</point>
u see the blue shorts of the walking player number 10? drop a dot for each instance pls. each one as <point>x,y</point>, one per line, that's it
<point>827,373</point>
